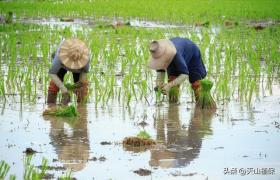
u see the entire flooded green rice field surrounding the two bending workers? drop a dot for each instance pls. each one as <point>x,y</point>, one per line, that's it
<point>240,46</point>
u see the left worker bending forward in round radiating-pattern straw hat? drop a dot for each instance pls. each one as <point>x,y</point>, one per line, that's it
<point>72,55</point>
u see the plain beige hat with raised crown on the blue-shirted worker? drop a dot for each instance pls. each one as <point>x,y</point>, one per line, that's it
<point>162,53</point>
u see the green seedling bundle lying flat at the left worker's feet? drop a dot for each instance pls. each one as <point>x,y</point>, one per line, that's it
<point>64,111</point>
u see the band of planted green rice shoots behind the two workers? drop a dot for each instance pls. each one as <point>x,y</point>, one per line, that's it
<point>242,63</point>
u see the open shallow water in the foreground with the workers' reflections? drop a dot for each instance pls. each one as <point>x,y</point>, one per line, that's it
<point>191,143</point>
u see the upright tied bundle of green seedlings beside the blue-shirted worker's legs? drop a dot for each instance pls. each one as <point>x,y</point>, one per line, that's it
<point>205,100</point>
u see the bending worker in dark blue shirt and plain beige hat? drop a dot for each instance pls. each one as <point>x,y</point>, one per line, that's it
<point>181,58</point>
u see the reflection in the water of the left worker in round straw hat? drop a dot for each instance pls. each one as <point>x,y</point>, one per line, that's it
<point>71,143</point>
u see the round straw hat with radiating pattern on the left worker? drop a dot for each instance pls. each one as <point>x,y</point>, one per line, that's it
<point>74,53</point>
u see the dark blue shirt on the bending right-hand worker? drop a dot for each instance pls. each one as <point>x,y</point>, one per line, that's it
<point>187,60</point>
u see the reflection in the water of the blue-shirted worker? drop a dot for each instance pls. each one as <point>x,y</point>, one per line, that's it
<point>180,146</point>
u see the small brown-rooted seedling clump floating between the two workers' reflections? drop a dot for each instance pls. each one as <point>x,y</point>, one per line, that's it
<point>142,139</point>
